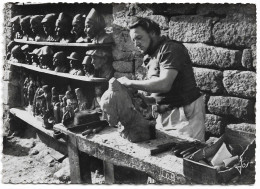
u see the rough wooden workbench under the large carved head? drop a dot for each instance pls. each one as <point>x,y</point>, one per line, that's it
<point>114,150</point>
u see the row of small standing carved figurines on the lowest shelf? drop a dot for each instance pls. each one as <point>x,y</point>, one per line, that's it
<point>52,106</point>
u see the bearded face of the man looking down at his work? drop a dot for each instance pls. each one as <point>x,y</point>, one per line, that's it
<point>141,39</point>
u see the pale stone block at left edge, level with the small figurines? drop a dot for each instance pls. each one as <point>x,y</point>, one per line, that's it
<point>11,94</point>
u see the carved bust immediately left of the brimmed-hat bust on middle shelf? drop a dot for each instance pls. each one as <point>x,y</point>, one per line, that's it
<point>60,62</point>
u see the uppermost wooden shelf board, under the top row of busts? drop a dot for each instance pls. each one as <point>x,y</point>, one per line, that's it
<point>58,44</point>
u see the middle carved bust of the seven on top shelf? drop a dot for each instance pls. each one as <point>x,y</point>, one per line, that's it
<point>48,23</point>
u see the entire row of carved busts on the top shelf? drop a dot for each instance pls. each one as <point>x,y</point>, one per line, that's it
<point>61,28</point>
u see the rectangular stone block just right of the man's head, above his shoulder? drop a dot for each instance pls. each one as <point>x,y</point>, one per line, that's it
<point>190,29</point>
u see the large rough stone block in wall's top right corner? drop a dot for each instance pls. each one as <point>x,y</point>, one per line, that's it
<point>235,30</point>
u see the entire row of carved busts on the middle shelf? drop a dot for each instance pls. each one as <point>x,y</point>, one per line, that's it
<point>94,63</point>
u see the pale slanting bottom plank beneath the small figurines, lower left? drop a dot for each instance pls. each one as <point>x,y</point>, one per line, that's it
<point>22,114</point>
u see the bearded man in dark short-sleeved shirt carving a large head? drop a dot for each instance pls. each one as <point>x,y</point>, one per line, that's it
<point>171,81</point>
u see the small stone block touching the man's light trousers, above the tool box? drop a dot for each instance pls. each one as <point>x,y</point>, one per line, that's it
<point>215,125</point>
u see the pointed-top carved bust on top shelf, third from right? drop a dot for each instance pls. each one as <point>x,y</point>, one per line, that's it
<point>62,28</point>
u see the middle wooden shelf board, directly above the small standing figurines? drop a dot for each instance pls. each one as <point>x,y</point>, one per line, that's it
<point>65,75</point>
